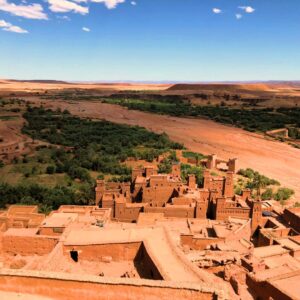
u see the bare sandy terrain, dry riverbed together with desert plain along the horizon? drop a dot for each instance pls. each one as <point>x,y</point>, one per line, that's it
<point>270,157</point>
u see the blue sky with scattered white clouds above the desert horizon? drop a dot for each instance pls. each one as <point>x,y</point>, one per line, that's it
<point>150,40</point>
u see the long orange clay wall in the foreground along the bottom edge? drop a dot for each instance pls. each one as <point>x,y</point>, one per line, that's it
<point>95,288</point>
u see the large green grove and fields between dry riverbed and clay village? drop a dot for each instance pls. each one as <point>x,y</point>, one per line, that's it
<point>80,150</point>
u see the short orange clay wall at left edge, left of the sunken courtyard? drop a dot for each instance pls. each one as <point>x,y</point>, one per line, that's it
<point>28,245</point>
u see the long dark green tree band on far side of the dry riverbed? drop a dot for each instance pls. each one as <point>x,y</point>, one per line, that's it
<point>262,119</point>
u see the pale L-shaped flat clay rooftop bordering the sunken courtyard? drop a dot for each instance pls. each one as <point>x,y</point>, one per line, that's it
<point>156,241</point>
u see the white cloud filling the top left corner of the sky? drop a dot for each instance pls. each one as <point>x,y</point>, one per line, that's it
<point>30,11</point>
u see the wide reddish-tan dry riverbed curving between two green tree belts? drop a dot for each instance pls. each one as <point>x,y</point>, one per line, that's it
<point>274,159</point>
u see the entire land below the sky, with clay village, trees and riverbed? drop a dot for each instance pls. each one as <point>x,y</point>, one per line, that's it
<point>121,195</point>
